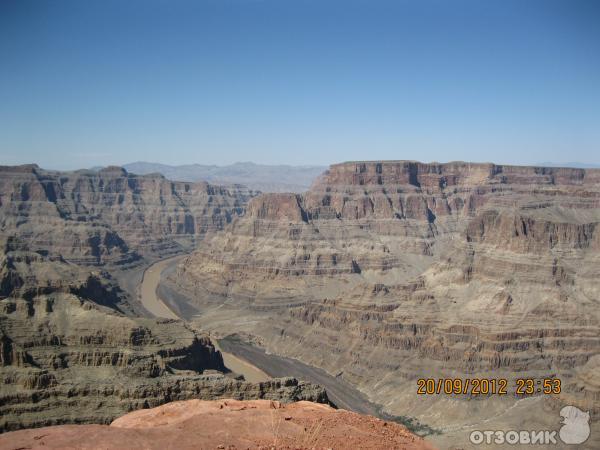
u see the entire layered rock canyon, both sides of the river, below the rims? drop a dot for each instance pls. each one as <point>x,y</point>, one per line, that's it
<point>381,273</point>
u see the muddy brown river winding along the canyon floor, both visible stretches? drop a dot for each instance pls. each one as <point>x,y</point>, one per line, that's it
<point>153,303</point>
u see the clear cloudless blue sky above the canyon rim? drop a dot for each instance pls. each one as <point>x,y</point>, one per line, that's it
<point>86,83</point>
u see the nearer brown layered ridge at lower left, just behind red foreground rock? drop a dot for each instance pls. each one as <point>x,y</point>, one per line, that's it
<point>68,360</point>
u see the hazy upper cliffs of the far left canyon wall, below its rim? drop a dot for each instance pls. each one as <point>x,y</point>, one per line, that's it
<point>108,216</point>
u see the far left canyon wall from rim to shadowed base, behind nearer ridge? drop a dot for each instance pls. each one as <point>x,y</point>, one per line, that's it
<point>61,230</point>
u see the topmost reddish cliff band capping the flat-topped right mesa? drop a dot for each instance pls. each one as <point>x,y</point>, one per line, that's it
<point>442,175</point>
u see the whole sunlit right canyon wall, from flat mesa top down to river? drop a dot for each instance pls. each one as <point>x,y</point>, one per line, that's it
<point>386,272</point>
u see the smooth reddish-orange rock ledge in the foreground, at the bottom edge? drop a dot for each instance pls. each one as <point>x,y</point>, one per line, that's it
<point>225,424</point>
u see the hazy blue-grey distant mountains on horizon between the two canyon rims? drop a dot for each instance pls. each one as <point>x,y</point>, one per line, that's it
<point>260,177</point>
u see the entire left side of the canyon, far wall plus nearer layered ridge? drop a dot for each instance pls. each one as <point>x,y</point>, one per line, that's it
<point>76,343</point>
